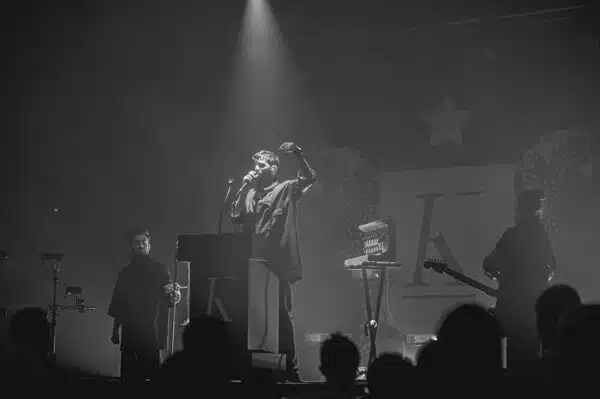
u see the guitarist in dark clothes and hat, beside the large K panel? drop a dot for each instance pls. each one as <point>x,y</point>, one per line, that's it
<point>523,262</point>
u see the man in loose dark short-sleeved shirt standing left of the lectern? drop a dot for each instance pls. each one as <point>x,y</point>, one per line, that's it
<point>141,298</point>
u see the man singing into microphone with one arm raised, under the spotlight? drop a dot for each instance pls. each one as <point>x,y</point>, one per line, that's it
<point>268,209</point>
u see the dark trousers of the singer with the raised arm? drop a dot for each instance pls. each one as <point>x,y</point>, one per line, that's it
<point>287,344</point>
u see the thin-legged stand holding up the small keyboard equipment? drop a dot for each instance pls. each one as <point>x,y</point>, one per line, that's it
<point>373,320</point>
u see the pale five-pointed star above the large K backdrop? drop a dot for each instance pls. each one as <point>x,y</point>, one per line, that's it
<point>445,123</point>
